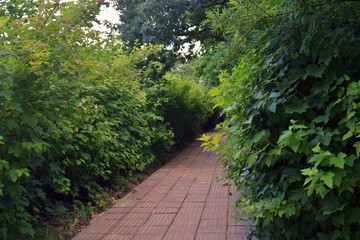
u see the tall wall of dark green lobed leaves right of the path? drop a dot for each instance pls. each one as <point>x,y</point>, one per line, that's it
<point>292,105</point>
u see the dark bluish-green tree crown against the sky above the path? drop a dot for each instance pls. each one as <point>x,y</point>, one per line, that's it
<point>171,23</point>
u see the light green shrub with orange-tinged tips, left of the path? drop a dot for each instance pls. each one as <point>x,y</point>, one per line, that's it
<point>73,115</point>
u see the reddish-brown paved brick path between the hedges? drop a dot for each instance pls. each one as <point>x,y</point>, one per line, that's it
<point>184,200</point>
